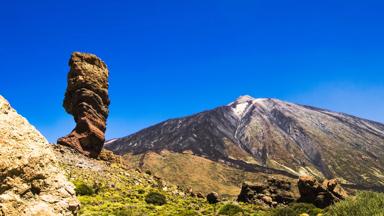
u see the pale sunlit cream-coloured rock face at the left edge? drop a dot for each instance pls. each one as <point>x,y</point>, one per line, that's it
<point>31,182</point>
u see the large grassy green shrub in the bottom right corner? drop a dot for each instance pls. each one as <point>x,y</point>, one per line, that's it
<point>365,203</point>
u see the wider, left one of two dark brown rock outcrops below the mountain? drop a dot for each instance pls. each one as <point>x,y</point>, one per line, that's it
<point>271,193</point>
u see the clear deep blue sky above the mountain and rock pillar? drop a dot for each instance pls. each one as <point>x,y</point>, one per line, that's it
<point>173,58</point>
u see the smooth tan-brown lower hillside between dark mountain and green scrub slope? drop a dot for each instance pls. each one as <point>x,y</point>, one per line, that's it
<point>197,173</point>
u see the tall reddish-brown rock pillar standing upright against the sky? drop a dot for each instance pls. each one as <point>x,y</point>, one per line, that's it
<point>87,100</point>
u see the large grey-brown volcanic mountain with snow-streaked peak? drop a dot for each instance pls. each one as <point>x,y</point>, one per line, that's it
<point>269,135</point>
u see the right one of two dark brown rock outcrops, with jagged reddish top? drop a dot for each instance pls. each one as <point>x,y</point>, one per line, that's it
<point>321,195</point>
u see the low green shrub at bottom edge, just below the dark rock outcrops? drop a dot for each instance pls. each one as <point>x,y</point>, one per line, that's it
<point>296,209</point>
